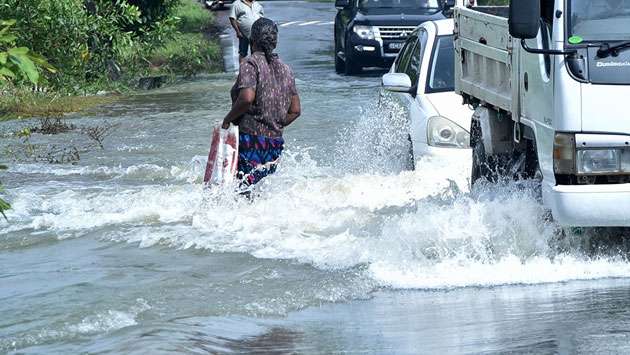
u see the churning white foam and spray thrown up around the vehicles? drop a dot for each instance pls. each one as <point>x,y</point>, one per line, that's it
<point>420,229</point>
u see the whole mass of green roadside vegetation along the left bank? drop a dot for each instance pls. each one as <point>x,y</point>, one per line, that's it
<point>100,45</point>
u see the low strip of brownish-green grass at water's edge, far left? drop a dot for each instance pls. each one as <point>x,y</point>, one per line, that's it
<point>20,103</point>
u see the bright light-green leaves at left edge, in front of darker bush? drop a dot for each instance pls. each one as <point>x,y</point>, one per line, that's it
<point>18,63</point>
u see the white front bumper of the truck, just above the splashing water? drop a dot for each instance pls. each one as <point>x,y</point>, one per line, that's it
<point>589,205</point>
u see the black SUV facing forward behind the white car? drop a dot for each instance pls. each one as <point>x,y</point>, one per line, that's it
<point>370,33</point>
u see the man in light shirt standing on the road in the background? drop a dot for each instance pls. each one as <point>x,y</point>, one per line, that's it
<point>243,15</point>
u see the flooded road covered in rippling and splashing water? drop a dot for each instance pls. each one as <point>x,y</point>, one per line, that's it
<point>343,250</point>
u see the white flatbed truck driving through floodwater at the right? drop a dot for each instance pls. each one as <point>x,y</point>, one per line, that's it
<point>550,84</point>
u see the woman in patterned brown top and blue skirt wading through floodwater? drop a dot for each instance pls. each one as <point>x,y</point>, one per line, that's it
<point>265,101</point>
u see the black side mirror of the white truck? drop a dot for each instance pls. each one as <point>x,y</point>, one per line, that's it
<point>524,18</point>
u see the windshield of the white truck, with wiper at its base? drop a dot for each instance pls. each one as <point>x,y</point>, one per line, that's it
<point>600,20</point>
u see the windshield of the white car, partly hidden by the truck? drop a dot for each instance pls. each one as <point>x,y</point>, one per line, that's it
<point>442,74</point>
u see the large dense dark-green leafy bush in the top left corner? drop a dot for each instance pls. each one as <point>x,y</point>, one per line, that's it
<point>87,39</point>
